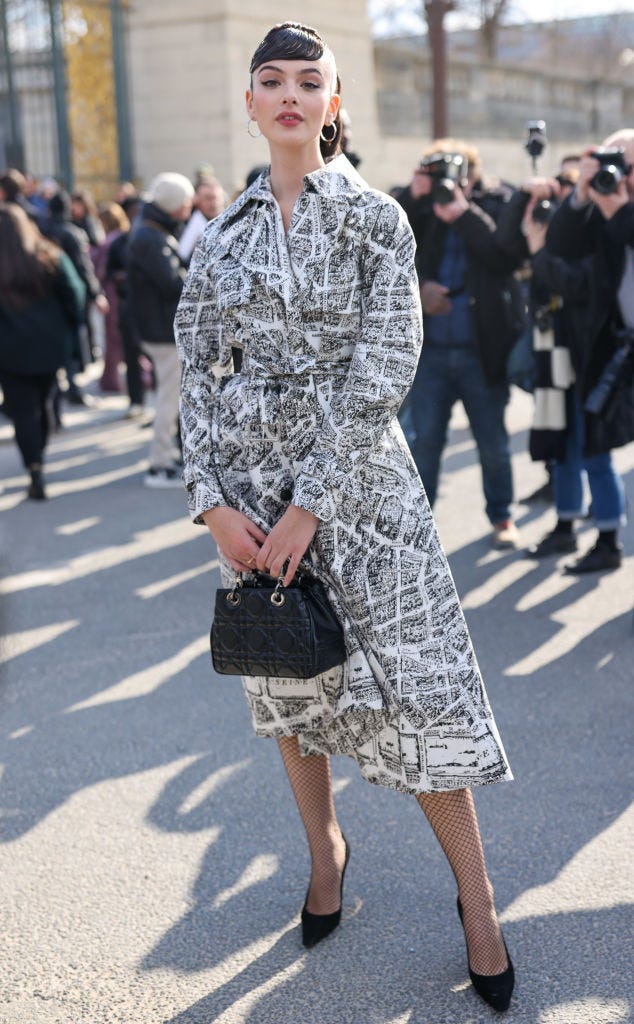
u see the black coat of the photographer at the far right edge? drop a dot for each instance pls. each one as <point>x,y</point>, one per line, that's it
<point>594,253</point>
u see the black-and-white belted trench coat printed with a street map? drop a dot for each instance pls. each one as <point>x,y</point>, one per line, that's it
<point>328,319</point>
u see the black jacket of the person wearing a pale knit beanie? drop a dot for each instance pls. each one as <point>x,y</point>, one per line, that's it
<point>156,275</point>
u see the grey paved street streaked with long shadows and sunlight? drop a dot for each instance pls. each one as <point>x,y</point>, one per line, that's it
<point>153,864</point>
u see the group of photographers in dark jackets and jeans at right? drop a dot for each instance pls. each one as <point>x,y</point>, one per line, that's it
<point>546,270</point>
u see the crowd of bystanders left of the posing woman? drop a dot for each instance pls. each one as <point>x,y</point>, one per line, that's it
<point>123,264</point>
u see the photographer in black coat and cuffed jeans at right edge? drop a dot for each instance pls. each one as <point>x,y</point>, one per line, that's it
<point>589,260</point>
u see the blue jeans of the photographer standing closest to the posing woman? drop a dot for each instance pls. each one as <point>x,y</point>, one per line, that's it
<point>446,375</point>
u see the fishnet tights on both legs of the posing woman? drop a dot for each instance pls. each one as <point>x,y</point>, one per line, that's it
<point>452,816</point>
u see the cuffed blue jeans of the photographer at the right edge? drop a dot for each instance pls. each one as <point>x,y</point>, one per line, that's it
<point>606,485</point>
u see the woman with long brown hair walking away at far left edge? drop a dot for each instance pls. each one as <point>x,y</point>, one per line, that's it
<point>41,308</point>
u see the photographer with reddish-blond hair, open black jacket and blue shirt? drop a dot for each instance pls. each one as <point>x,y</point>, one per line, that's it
<point>473,315</point>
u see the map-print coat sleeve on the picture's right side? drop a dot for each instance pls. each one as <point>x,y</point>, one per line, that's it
<point>382,370</point>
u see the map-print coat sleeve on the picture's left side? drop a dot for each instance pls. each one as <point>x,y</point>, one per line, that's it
<point>204,362</point>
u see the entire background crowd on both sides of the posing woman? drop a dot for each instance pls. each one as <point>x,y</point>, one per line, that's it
<point>542,273</point>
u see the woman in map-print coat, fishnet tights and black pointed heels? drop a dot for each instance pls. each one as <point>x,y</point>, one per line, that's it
<point>300,459</point>
